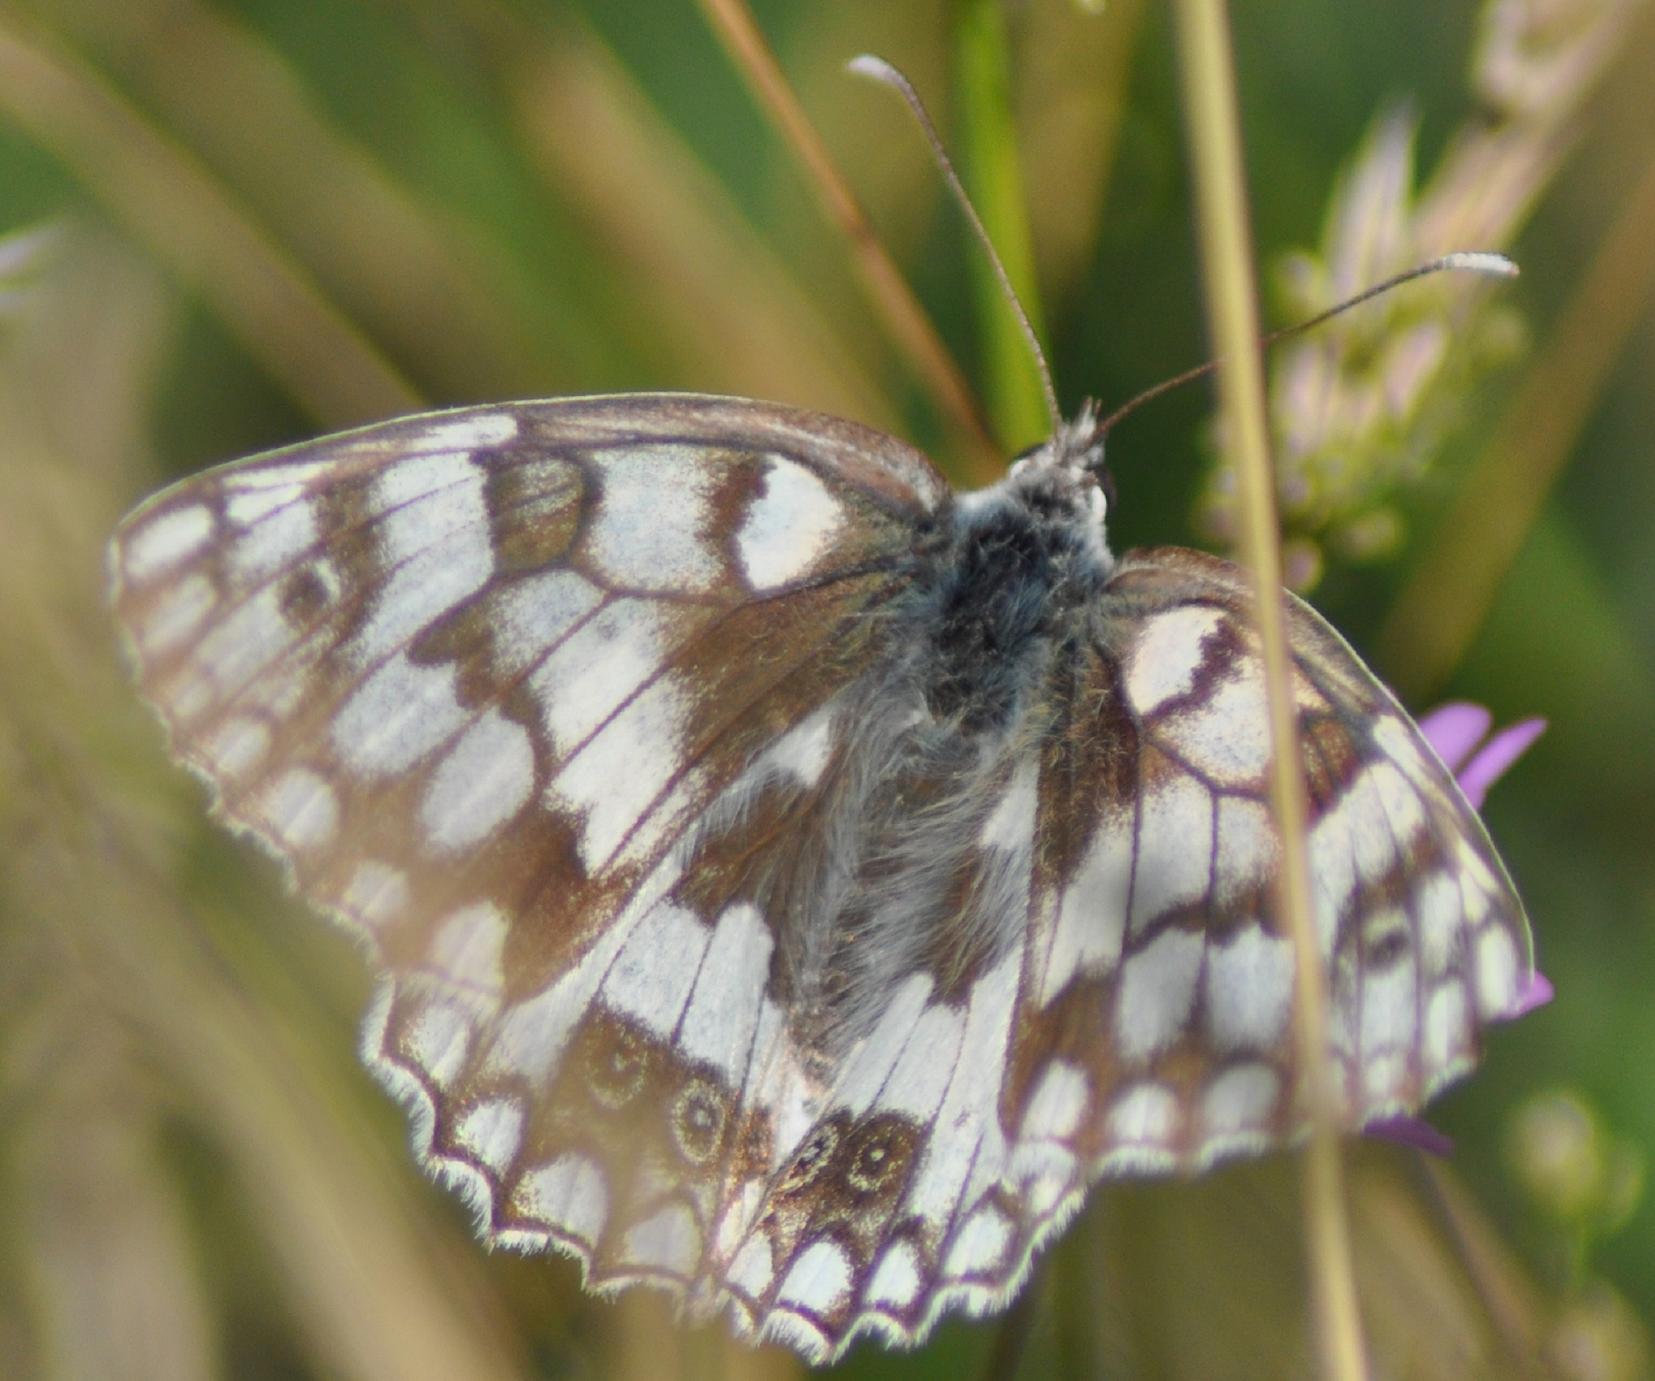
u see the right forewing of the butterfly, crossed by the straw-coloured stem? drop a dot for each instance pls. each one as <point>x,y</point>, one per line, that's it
<point>1161,978</point>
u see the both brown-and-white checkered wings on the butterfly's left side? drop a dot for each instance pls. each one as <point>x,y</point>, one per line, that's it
<point>471,678</point>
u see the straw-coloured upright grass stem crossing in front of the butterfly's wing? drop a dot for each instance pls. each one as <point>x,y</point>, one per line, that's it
<point>1211,108</point>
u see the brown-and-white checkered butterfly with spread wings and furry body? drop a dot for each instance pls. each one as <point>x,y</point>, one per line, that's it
<point>795,882</point>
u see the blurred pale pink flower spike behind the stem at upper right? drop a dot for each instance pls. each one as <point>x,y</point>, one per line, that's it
<point>1363,408</point>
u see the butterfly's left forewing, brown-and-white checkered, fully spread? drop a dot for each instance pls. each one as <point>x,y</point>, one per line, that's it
<point>439,643</point>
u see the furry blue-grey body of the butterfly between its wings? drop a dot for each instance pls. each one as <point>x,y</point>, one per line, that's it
<point>1010,584</point>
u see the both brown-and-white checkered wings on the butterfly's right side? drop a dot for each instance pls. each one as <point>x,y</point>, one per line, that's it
<point>1136,1019</point>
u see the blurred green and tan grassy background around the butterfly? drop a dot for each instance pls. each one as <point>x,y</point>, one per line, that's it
<point>241,224</point>
